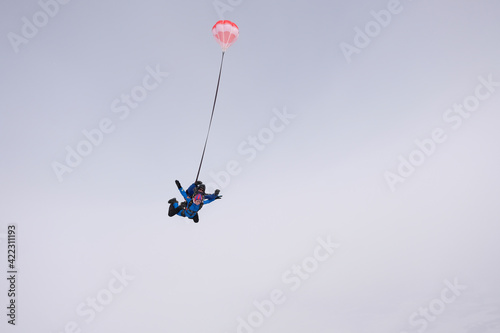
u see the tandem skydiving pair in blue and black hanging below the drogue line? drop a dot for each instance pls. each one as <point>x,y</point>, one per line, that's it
<point>193,203</point>
